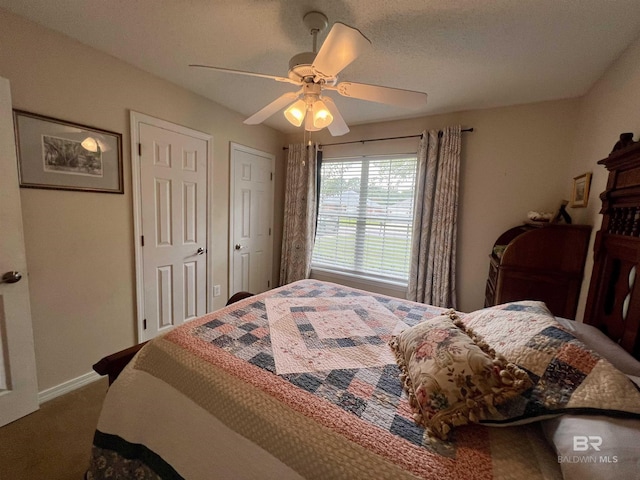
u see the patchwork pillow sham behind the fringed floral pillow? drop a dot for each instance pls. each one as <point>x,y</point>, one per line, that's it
<point>567,376</point>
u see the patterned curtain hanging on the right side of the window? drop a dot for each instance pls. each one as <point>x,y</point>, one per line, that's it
<point>433,249</point>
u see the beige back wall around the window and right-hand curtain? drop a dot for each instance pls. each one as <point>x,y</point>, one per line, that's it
<point>517,159</point>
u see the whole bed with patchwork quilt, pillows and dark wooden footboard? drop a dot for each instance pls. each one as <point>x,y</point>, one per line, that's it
<point>317,380</point>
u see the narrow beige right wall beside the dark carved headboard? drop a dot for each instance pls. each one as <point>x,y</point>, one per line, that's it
<point>611,107</point>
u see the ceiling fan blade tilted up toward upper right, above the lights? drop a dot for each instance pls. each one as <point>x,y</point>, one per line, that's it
<point>341,47</point>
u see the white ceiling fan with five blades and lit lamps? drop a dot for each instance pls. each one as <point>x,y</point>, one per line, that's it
<point>317,71</point>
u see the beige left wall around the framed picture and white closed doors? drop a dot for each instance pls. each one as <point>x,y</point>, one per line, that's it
<point>80,245</point>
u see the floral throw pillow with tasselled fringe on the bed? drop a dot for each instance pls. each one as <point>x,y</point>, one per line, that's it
<point>451,380</point>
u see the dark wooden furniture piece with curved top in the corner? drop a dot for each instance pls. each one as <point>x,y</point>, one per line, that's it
<point>539,262</point>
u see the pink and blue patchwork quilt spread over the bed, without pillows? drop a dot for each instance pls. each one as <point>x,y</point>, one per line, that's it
<point>298,382</point>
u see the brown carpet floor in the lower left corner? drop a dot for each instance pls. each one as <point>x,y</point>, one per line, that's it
<point>53,443</point>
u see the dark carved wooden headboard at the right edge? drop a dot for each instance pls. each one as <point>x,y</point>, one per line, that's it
<point>613,304</point>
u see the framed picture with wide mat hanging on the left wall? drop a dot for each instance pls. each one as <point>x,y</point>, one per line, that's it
<point>61,155</point>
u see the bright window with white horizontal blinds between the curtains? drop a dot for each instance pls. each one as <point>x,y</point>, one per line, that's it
<point>365,216</point>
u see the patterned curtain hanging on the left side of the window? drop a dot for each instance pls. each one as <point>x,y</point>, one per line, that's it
<point>299,214</point>
